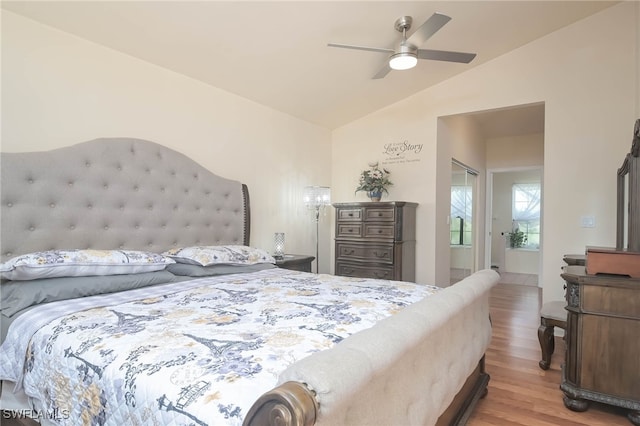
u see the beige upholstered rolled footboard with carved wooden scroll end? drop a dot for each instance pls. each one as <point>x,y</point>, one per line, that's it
<point>397,372</point>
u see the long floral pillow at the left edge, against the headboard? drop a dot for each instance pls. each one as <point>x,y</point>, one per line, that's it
<point>81,263</point>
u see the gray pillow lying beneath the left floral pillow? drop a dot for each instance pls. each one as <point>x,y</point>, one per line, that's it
<point>18,295</point>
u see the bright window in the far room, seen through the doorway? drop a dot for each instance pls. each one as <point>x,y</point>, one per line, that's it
<point>526,212</point>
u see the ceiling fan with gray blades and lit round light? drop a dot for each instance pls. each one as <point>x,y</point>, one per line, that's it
<point>407,52</point>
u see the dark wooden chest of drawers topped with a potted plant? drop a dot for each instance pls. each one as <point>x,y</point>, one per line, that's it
<point>376,240</point>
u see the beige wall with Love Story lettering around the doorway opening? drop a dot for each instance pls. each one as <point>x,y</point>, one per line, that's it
<point>587,76</point>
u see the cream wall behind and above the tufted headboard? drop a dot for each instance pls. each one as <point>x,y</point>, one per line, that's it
<point>58,90</point>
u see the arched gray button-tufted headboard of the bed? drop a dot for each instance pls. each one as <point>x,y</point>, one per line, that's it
<point>115,193</point>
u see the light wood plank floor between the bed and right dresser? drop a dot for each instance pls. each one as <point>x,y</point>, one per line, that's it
<point>520,393</point>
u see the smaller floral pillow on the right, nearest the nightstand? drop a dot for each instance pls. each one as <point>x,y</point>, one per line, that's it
<point>216,255</point>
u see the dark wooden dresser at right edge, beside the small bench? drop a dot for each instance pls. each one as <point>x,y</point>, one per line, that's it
<point>603,341</point>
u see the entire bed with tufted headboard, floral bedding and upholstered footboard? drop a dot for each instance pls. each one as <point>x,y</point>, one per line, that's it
<point>176,339</point>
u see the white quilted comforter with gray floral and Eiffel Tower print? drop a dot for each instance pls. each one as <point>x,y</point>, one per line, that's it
<point>196,353</point>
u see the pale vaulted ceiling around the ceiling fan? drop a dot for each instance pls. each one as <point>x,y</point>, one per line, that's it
<point>276,54</point>
